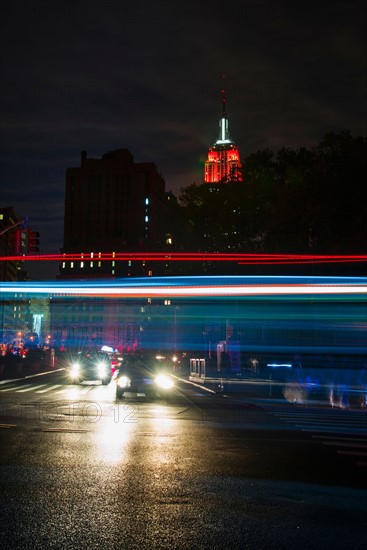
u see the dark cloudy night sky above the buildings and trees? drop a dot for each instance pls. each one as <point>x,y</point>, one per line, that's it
<point>145,75</point>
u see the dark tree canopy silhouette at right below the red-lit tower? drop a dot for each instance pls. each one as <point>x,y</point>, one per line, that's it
<point>295,201</point>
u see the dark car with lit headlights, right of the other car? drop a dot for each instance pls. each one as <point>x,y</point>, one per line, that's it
<point>140,375</point>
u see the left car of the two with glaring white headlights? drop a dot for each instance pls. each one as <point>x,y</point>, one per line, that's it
<point>86,365</point>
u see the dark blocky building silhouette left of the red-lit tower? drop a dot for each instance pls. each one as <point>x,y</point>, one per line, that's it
<point>111,204</point>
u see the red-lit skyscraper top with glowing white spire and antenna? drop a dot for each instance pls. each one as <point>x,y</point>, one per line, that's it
<point>223,162</point>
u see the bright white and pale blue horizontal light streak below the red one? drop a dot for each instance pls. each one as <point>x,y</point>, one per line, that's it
<point>185,291</point>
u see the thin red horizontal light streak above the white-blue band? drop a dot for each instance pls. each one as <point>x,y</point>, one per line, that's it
<point>190,256</point>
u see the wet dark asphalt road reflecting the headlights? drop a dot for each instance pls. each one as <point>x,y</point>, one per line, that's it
<point>82,470</point>
